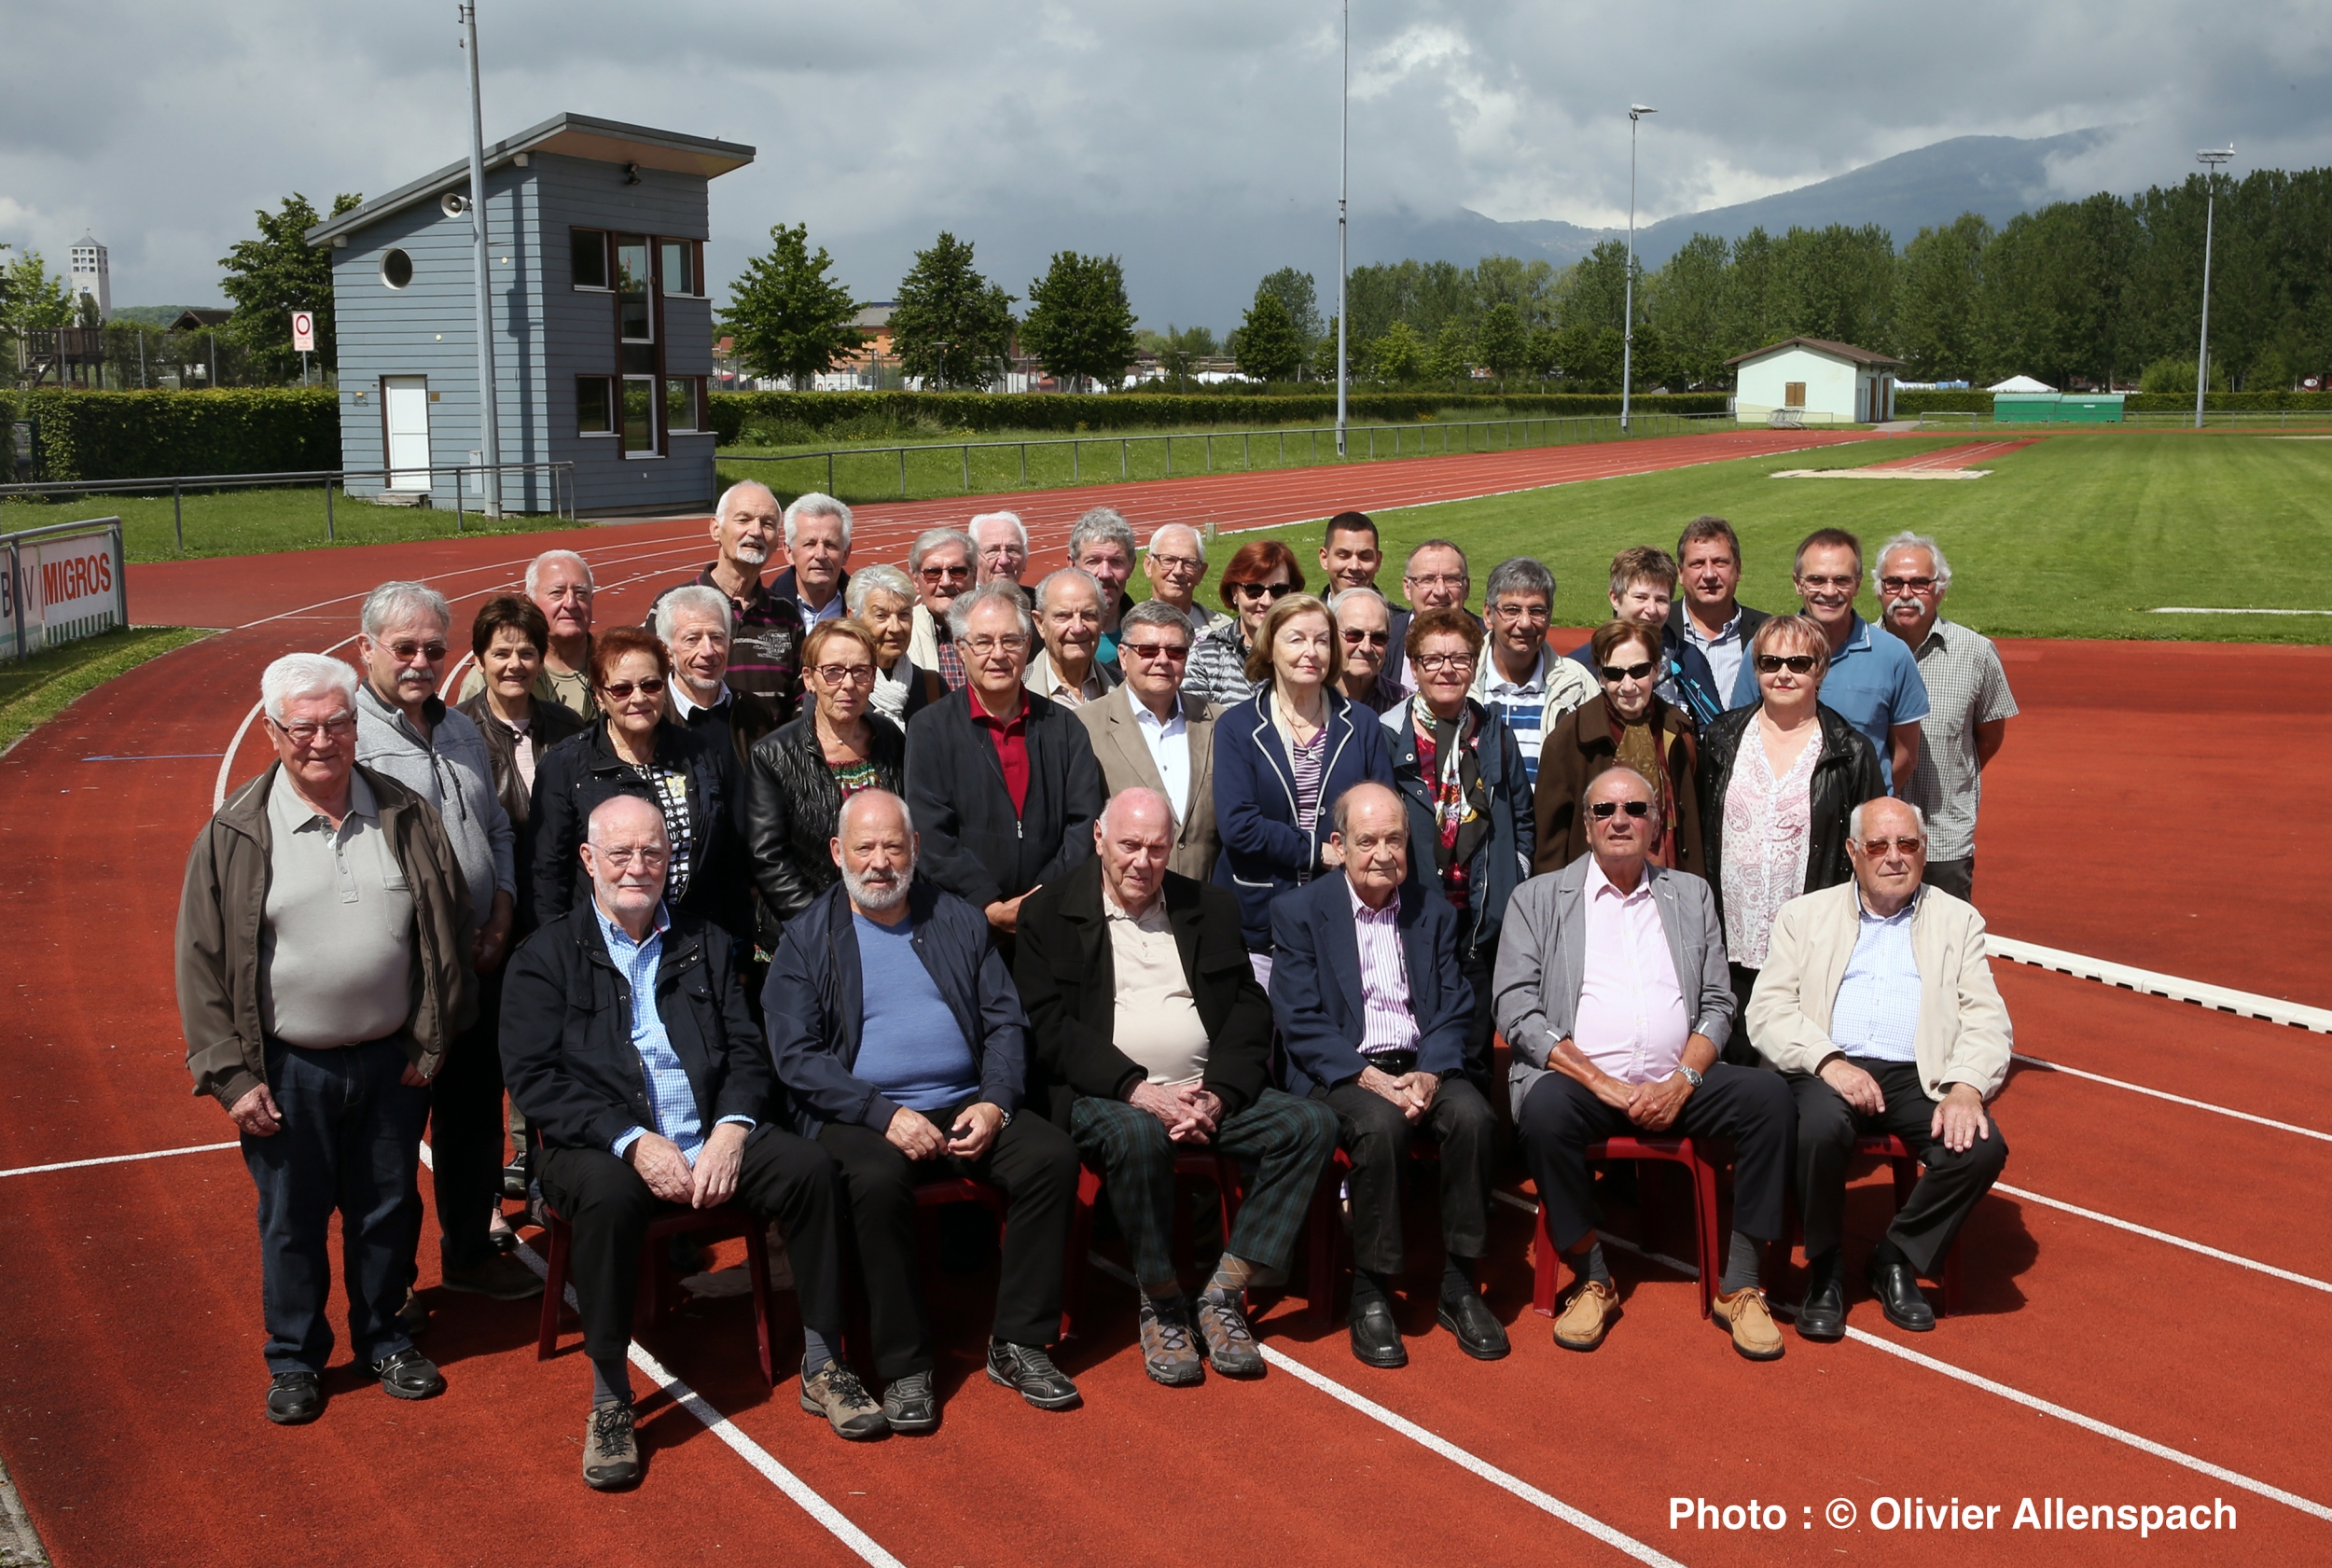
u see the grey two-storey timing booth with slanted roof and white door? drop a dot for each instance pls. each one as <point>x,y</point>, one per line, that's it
<point>603,325</point>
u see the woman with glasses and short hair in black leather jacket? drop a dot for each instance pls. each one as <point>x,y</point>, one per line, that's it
<point>806,771</point>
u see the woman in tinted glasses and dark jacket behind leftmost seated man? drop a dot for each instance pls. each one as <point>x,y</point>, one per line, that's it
<point>635,750</point>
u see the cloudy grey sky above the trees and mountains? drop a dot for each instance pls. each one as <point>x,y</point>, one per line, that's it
<point>1197,139</point>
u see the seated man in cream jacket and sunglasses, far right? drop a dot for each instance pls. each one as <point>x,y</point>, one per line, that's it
<point>1878,1007</point>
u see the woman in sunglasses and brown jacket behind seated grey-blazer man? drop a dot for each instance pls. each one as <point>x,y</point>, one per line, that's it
<point>1627,727</point>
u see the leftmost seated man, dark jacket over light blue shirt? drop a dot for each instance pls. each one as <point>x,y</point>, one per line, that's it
<point>580,1044</point>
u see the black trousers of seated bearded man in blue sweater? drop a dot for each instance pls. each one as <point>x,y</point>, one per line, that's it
<point>1032,1163</point>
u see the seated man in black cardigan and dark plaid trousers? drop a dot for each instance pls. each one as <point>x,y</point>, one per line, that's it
<point>1149,1035</point>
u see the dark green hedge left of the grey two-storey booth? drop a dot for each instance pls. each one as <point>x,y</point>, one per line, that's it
<point>146,435</point>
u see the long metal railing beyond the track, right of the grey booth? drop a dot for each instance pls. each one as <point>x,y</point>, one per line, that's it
<point>1382,442</point>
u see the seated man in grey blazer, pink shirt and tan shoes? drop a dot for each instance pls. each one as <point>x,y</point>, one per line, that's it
<point>1615,1000</point>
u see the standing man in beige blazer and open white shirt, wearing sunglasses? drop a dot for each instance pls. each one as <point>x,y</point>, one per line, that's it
<point>1149,736</point>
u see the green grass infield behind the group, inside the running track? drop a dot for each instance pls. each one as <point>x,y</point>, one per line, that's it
<point>2072,538</point>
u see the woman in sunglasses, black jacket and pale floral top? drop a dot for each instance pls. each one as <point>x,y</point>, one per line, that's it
<point>1778,783</point>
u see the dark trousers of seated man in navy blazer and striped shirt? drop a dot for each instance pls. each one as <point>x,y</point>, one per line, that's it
<point>1375,1135</point>
